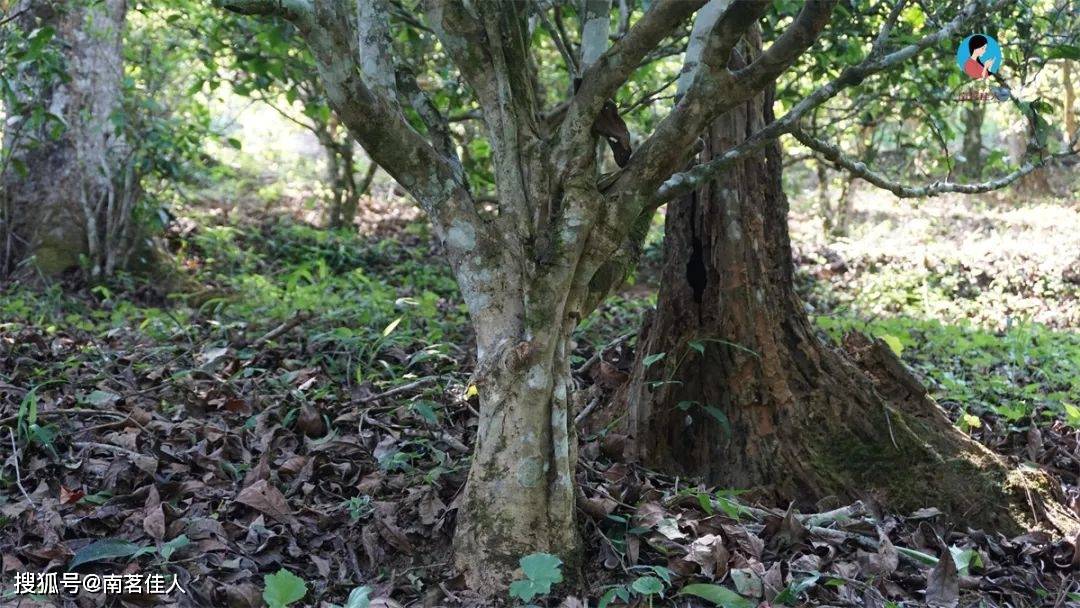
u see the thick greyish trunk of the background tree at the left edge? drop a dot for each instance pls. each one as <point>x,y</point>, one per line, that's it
<point>67,204</point>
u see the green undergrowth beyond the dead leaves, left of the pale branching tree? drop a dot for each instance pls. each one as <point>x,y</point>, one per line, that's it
<point>377,309</point>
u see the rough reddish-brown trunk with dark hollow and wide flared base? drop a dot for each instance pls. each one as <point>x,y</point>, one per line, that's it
<point>748,397</point>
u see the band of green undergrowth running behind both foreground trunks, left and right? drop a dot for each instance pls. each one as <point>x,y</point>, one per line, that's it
<point>382,308</point>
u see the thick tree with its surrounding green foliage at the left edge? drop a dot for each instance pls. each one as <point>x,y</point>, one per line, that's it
<point>96,91</point>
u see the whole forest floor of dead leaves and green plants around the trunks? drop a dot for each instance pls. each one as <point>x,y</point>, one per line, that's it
<point>298,399</point>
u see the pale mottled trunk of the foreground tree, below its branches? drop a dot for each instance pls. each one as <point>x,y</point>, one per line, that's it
<point>520,497</point>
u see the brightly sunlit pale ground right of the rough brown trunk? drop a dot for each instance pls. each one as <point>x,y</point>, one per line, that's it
<point>992,260</point>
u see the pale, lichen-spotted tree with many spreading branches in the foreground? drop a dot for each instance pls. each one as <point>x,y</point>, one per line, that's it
<point>562,232</point>
